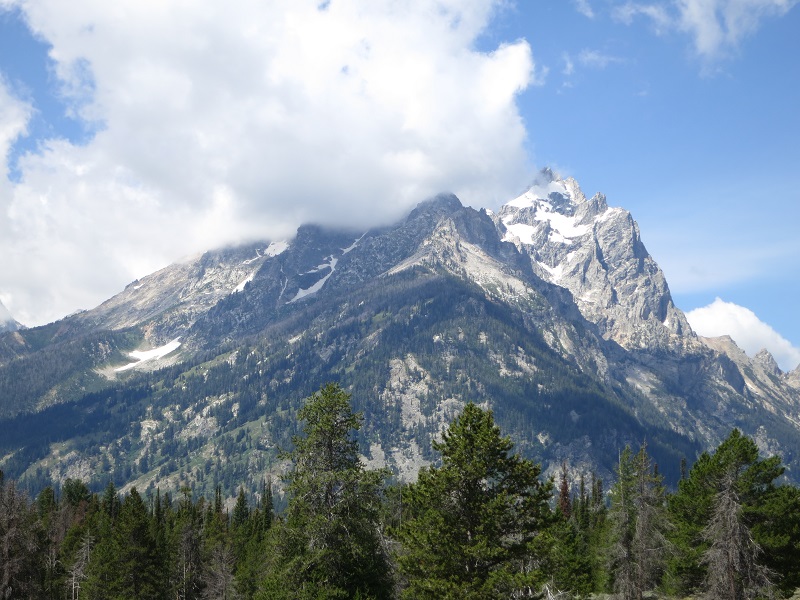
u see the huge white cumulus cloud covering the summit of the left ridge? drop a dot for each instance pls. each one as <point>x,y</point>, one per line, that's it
<point>219,122</point>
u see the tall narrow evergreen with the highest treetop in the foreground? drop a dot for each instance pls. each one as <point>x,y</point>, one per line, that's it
<point>330,544</point>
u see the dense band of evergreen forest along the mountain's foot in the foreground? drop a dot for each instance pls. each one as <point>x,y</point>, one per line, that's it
<point>481,523</point>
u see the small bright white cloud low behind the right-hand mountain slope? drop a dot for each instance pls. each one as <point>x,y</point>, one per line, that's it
<point>747,330</point>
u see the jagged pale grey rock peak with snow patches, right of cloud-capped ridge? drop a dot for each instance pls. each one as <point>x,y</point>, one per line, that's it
<point>597,254</point>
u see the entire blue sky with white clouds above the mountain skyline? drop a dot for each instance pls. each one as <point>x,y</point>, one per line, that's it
<point>137,132</point>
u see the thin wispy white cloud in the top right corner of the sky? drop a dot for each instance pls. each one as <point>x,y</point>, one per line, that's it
<point>716,27</point>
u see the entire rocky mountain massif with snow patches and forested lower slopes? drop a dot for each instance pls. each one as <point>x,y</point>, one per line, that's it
<point>551,312</point>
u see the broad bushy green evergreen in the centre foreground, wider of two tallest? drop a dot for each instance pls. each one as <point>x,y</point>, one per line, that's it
<point>472,525</point>
